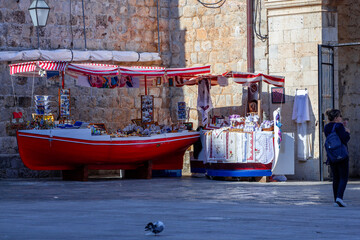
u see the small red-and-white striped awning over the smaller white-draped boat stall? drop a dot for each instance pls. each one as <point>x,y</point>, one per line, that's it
<point>243,78</point>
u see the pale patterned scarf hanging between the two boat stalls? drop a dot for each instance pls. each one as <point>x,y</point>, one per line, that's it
<point>204,103</point>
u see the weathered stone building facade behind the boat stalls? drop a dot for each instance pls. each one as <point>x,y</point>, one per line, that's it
<point>190,35</point>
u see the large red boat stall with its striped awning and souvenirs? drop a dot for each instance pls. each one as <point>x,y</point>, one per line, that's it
<point>139,148</point>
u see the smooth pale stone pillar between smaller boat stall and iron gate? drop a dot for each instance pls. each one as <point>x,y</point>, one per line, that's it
<point>295,30</point>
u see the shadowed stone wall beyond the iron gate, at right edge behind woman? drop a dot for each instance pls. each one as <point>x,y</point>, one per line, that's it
<point>349,73</point>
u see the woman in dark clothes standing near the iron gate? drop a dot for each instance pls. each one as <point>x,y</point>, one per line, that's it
<point>340,170</point>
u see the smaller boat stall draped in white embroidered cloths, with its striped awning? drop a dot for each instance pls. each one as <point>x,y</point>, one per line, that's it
<point>241,147</point>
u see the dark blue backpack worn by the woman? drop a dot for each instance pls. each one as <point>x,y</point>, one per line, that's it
<point>335,149</point>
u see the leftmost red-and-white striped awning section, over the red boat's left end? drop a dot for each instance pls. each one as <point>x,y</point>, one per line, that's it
<point>32,68</point>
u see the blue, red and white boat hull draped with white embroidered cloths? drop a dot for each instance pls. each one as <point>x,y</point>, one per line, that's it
<point>227,152</point>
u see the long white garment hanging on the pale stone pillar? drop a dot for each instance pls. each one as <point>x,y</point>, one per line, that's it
<point>301,115</point>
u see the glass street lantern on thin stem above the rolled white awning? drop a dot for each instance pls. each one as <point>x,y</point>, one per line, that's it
<point>39,12</point>
